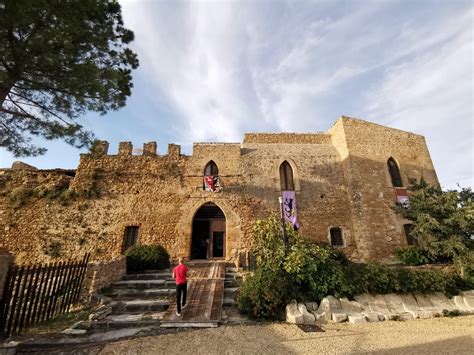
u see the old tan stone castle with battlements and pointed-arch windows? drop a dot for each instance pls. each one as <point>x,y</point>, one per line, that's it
<point>344,184</point>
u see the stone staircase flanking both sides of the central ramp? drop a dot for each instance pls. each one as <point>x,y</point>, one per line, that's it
<point>141,300</point>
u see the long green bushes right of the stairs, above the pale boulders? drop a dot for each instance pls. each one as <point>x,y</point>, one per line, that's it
<point>306,270</point>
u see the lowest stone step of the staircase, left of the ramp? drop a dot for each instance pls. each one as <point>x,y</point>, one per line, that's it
<point>127,321</point>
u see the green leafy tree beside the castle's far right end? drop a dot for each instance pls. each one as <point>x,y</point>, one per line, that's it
<point>443,222</point>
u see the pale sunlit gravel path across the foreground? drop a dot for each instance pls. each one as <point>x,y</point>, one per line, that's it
<point>431,336</point>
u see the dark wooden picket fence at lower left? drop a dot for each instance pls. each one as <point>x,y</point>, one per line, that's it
<point>36,293</point>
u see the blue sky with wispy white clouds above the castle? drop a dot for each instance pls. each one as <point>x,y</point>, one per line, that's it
<point>211,71</point>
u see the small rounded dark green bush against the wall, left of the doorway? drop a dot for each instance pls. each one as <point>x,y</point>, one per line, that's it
<point>143,257</point>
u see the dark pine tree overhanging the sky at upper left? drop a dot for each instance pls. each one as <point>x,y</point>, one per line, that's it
<point>59,59</point>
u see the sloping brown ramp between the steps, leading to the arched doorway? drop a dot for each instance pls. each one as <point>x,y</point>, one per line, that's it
<point>204,299</point>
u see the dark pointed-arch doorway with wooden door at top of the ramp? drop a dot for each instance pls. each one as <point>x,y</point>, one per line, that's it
<point>208,235</point>
